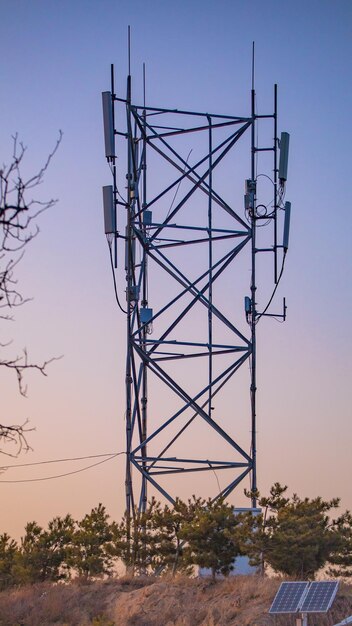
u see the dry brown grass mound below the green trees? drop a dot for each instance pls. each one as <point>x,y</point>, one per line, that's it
<point>238,601</point>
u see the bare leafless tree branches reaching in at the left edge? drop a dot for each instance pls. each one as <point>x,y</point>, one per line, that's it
<point>19,212</point>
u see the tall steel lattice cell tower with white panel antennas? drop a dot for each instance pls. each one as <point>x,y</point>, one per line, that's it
<point>188,237</point>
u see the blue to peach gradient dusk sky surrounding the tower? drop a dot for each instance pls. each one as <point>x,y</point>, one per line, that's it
<point>55,61</point>
